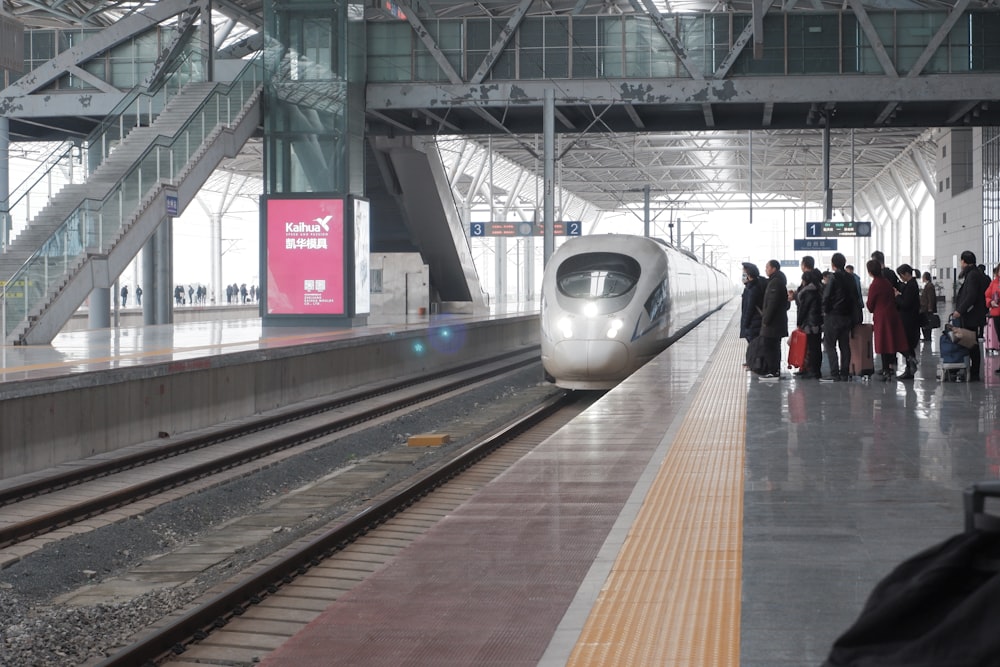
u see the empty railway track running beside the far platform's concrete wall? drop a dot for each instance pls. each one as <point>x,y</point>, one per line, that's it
<point>39,506</point>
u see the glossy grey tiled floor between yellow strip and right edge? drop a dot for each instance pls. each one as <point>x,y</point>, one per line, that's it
<point>843,482</point>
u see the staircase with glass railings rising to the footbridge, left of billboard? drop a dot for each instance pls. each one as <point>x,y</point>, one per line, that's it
<point>88,233</point>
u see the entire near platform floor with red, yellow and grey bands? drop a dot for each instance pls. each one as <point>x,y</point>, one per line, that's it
<point>693,516</point>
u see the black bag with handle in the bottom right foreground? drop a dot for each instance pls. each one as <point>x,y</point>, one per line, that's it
<point>940,608</point>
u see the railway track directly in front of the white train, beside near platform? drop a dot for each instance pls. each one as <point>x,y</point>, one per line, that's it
<point>248,616</point>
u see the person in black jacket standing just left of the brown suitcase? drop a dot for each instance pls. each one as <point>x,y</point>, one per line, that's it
<point>841,311</point>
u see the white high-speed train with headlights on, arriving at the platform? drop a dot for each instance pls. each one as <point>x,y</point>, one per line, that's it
<point>612,302</point>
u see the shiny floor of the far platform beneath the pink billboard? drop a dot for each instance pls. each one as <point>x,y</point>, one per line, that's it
<point>90,350</point>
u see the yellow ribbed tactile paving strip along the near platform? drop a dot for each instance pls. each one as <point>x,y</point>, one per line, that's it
<point>672,598</point>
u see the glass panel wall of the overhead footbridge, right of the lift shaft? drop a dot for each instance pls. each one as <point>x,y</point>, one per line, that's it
<point>794,43</point>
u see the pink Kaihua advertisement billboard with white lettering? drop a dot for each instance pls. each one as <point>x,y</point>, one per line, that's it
<point>305,257</point>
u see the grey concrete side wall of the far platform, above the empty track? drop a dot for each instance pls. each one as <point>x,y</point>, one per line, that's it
<point>47,422</point>
